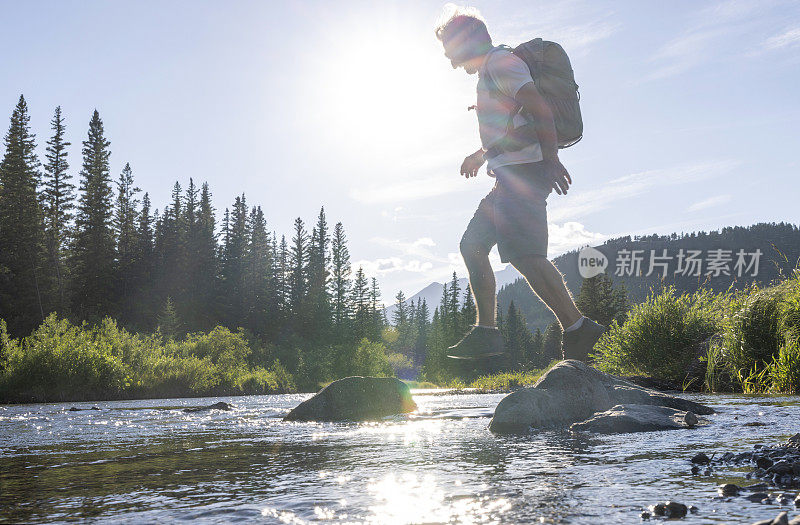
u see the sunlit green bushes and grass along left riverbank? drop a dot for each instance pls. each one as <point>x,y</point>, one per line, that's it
<point>64,362</point>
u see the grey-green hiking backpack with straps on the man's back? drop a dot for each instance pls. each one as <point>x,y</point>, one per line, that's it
<point>555,80</point>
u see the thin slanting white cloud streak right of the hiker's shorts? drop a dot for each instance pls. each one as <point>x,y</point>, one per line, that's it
<point>581,204</point>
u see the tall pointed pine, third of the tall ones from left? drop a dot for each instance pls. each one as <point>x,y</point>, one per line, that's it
<point>93,251</point>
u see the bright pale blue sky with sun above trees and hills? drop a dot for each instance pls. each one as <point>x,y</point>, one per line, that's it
<point>690,110</point>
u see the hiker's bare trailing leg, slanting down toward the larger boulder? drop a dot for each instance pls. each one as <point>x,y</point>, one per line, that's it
<point>548,283</point>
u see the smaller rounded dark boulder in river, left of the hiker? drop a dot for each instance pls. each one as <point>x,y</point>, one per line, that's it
<point>356,399</point>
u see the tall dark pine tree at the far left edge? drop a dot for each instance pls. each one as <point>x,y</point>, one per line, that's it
<point>22,254</point>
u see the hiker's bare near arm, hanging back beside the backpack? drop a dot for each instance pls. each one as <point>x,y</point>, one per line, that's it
<point>534,103</point>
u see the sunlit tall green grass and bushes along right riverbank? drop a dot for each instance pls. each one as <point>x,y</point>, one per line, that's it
<point>747,341</point>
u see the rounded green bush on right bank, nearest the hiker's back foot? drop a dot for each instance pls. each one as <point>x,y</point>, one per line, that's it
<point>663,336</point>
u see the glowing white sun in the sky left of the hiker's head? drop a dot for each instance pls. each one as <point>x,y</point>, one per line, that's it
<point>381,88</point>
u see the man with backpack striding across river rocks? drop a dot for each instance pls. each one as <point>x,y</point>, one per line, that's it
<point>520,143</point>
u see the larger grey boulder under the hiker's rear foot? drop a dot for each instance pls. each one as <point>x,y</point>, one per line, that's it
<point>571,392</point>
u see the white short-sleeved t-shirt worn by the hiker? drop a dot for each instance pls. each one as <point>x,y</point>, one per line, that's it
<point>509,73</point>
